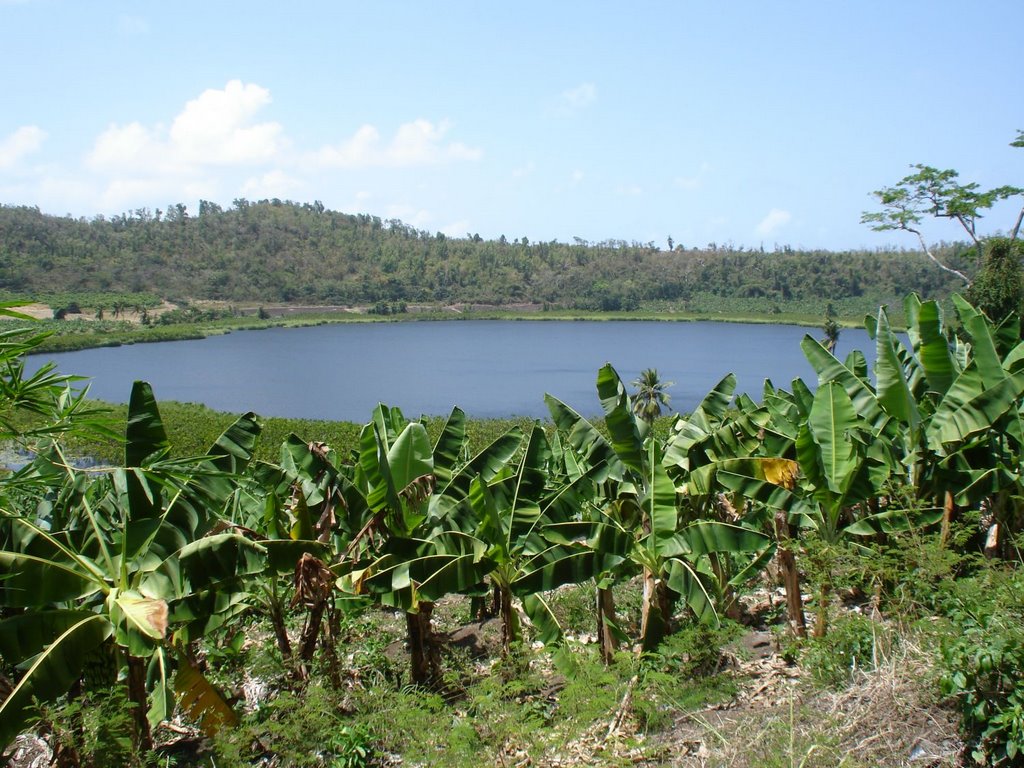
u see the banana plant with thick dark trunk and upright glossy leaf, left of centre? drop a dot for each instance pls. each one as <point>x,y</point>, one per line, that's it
<point>410,553</point>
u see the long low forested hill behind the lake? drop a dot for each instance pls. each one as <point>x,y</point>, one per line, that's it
<point>276,251</point>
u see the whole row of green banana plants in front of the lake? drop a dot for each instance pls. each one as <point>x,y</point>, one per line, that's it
<point>113,576</point>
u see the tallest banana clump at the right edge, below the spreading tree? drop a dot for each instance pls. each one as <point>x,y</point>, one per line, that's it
<point>950,404</point>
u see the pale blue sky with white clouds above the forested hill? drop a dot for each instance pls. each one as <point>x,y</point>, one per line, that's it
<point>749,123</point>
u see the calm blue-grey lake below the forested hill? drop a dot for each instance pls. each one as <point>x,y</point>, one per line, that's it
<point>488,368</point>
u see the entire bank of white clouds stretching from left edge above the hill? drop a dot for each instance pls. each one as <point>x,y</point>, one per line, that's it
<point>220,146</point>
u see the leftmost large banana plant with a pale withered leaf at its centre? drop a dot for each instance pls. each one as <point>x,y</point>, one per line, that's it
<point>110,561</point>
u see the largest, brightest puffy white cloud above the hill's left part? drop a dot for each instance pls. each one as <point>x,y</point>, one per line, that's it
<point>216,130</point>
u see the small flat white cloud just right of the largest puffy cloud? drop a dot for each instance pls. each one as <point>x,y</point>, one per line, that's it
<point>417,144</point>
